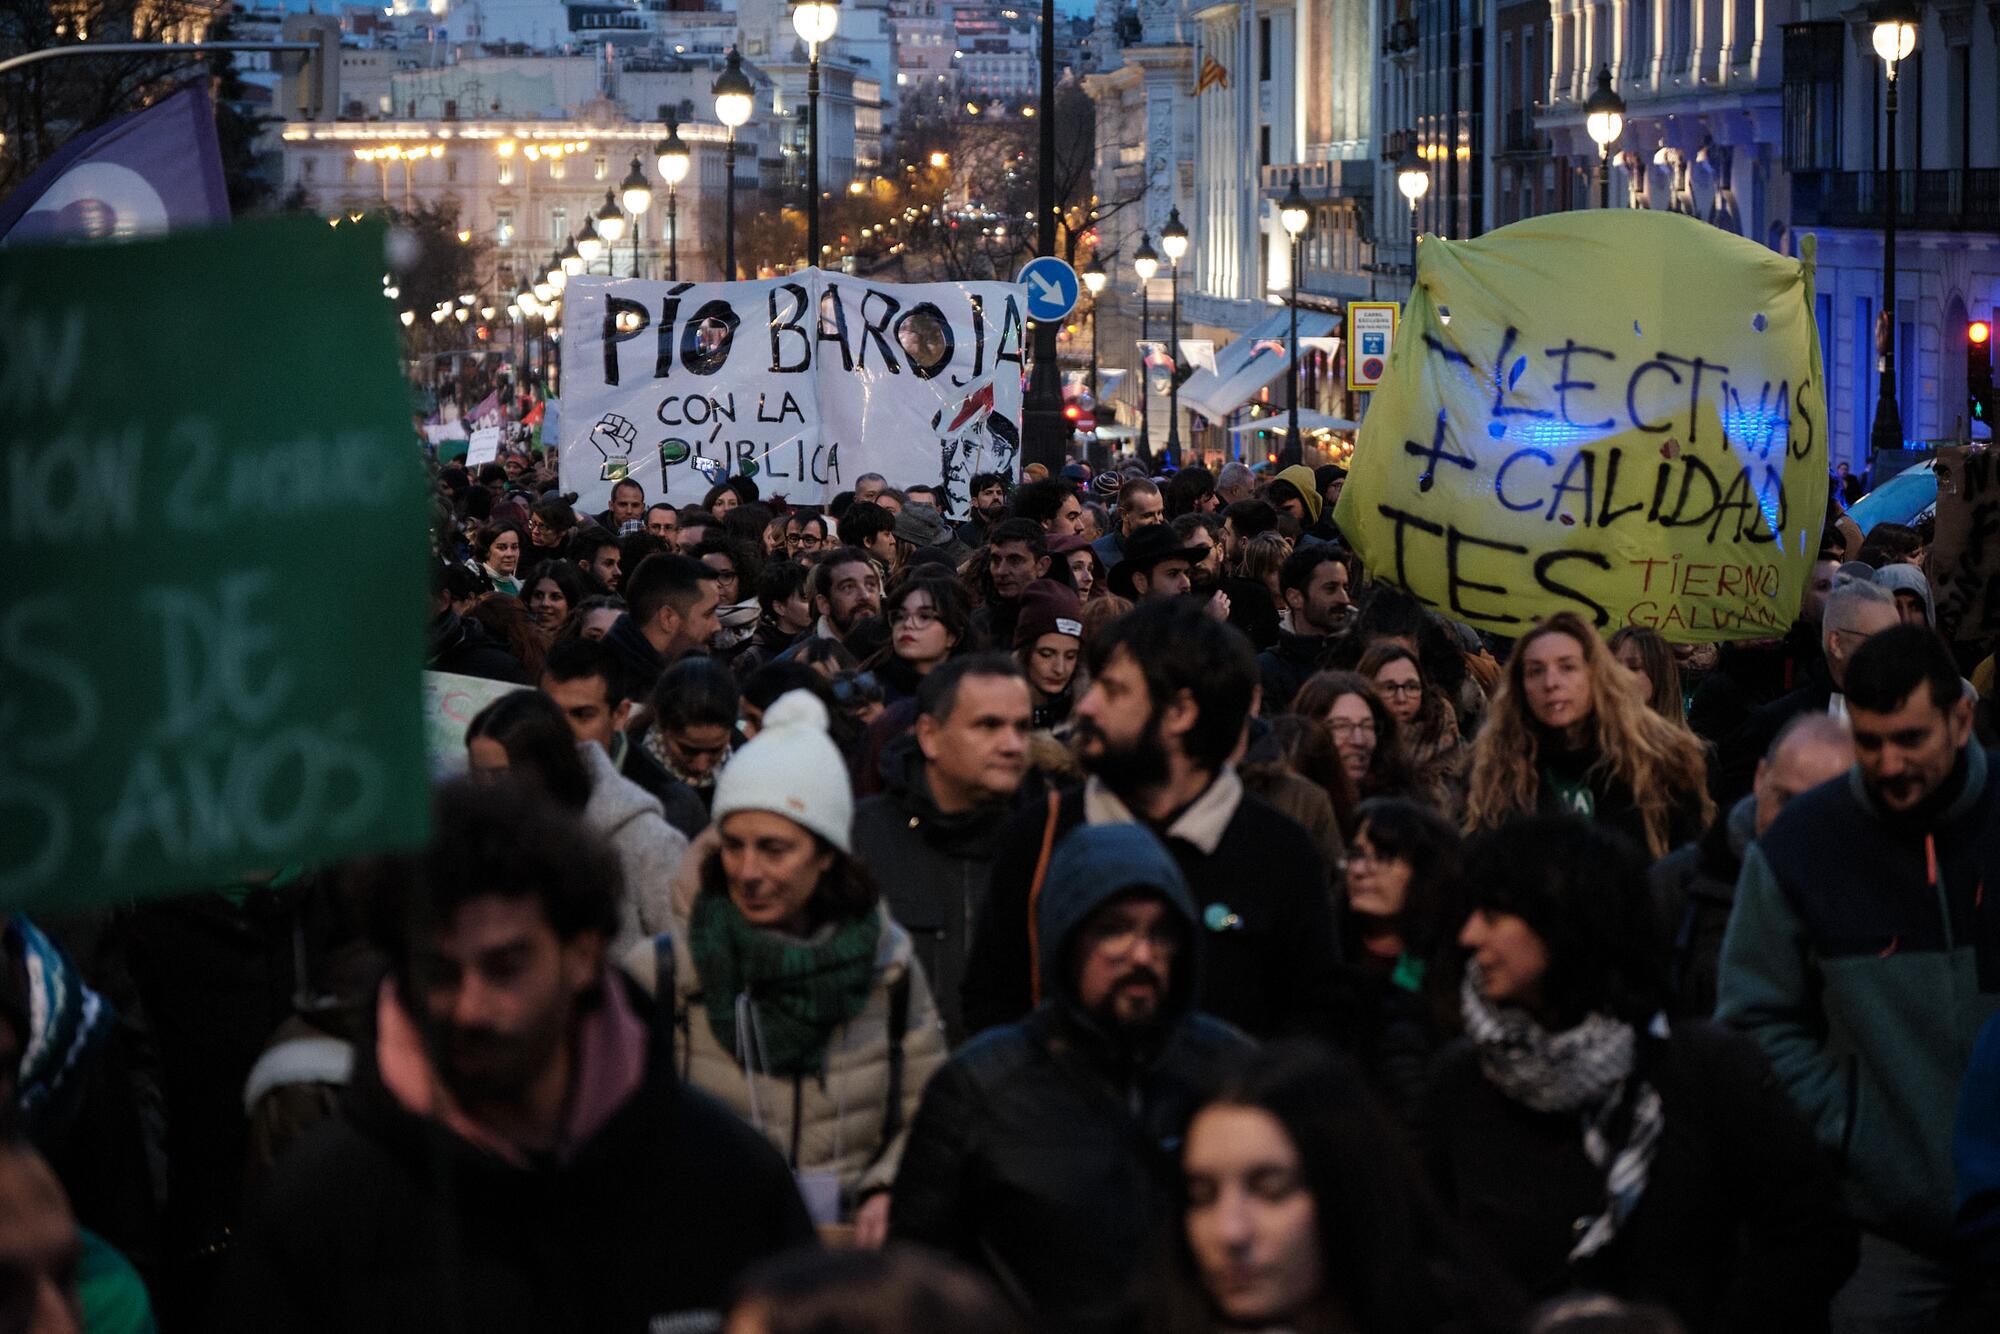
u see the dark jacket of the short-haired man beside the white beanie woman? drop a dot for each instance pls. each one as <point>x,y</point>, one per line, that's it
<point>933,869</point>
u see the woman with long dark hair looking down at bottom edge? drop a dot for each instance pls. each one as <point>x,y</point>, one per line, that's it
<point>1303,1213</point>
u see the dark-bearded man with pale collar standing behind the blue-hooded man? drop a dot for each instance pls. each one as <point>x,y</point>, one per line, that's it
<point>1159,729</point>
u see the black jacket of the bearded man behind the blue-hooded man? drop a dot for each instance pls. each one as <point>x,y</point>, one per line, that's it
<point>1261,903</point>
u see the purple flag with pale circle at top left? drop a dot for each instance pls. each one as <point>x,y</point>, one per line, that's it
<point>147,173</point>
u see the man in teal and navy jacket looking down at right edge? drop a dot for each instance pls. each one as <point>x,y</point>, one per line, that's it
<point>1865,957</point>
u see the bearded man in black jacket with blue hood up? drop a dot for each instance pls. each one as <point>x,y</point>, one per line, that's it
<point>1043,1153</point>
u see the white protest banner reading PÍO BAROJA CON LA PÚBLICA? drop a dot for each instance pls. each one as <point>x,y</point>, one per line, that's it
<point>681,385</point>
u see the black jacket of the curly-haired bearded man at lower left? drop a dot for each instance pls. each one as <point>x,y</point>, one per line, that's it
<point>385,1221</point>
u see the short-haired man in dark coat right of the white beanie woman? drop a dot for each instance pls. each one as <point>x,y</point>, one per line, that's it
<point>933,833</point>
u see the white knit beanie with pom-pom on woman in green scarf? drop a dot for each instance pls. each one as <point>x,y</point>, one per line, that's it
<point>791,769</point>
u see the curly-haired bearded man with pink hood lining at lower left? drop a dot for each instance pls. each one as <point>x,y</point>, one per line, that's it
<point>515,1149</point>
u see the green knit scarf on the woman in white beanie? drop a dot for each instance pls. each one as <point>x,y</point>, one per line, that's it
<point>801,989</point>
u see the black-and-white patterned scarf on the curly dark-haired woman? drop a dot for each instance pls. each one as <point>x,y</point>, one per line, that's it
<point>1583,1071</point>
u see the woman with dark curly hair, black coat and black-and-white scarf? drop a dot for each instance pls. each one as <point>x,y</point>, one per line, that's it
<point>1589,1143</point>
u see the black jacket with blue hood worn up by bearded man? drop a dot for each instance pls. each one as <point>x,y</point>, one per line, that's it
<point>1045,1155</point>
